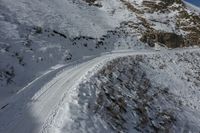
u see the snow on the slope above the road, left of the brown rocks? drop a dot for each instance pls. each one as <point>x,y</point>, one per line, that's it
<point>32,40</point>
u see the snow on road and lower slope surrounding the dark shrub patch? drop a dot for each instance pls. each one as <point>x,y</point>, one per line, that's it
<point>54,102</point>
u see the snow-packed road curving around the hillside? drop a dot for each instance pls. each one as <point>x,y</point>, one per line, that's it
<point>43,103</point>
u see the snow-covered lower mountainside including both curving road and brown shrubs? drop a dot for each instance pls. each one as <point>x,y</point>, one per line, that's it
<point>124,91</point>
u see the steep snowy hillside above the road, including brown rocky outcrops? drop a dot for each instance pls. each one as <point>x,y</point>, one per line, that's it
<point>37,35</point>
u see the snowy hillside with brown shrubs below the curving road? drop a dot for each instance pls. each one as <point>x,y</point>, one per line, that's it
<point>139,94</point>
